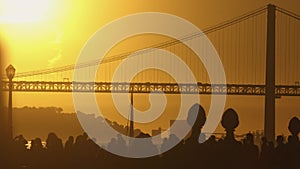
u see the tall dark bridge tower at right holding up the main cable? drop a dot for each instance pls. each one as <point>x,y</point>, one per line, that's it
<point>269,125</point>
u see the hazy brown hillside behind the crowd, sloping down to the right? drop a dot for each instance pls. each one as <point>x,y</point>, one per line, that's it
<point>34,122</point>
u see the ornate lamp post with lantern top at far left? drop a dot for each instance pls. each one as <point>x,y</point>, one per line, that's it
<point>10,73</point>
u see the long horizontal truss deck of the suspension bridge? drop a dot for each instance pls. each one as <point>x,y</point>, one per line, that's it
<point>168,88</point>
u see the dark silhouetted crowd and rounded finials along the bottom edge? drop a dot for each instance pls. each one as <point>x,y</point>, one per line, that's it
<point>225,153</point>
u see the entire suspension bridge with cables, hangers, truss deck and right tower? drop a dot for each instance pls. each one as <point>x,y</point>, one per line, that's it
<point>259,51</point>
